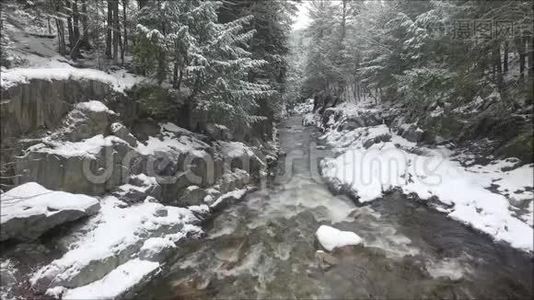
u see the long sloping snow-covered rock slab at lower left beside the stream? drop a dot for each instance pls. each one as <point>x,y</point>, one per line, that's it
<point>113,237</point>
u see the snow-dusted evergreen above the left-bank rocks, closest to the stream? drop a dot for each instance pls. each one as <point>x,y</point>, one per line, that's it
<point>219,74</point>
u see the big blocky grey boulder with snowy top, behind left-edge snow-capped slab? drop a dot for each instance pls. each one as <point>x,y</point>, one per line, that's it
<point>92,166</point>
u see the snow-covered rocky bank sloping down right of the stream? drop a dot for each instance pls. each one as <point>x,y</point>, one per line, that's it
<point>373,160</point>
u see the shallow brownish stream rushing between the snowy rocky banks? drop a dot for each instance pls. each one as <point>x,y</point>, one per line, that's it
<point>264,247</point>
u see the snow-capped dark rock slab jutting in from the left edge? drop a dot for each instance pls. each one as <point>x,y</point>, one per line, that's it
<point>29,210</point>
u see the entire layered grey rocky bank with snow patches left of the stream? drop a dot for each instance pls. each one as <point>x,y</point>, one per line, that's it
<point>148,180</point>
